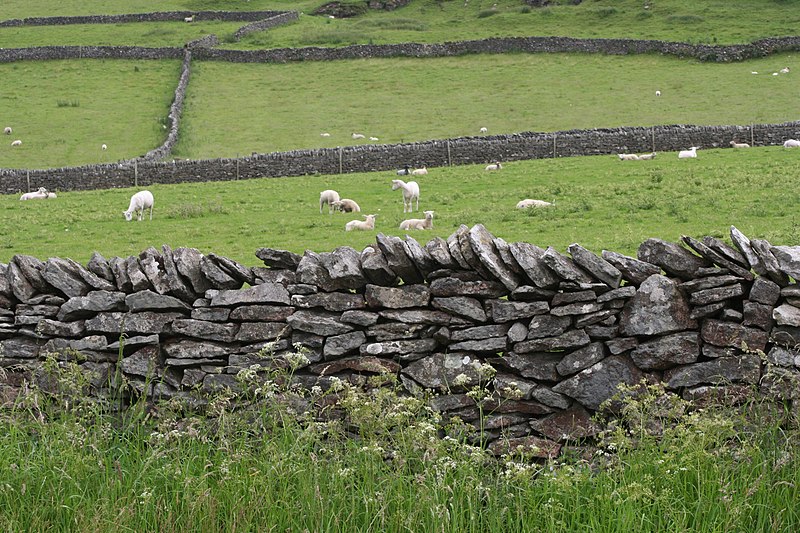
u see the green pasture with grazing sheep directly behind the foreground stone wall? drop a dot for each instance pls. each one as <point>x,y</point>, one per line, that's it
<point>601,203</point>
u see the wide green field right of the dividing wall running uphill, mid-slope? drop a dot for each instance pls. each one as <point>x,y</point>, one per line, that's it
<point>235,109</point>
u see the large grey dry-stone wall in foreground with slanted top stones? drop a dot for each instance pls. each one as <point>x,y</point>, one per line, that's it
<point>708,319</point>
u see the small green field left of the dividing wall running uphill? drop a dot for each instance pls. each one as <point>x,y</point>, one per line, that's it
<point>63,111</point>
